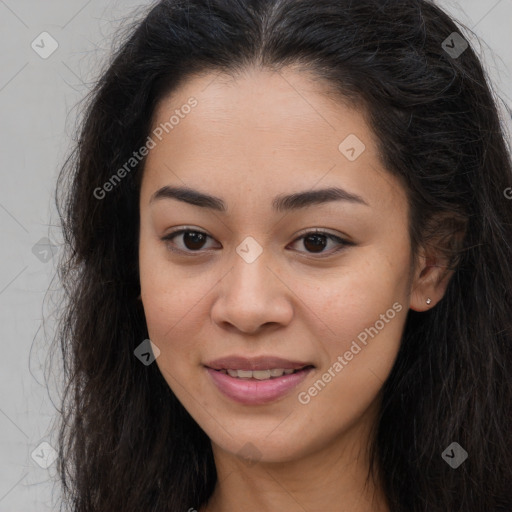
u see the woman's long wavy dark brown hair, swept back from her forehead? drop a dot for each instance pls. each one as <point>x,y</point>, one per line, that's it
<point>125,442</point>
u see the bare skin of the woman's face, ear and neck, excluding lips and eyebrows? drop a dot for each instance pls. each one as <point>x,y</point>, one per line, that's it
<point>247,141</point>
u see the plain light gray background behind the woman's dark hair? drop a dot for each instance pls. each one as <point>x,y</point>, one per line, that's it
<point>38,109</point>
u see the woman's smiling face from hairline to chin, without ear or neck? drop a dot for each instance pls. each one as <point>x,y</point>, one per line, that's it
<point>246,276</point>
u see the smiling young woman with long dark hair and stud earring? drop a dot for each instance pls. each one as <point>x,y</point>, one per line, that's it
<point>303,206</point>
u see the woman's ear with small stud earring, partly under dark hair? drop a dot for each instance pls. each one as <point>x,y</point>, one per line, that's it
<point>436,260</point>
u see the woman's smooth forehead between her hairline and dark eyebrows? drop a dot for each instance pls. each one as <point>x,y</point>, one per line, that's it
<point>264,130</point>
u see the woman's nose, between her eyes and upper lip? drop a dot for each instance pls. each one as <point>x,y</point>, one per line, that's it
<point>252,297</point>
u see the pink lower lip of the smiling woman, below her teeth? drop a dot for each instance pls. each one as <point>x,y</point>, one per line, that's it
<point>256,392</point>
